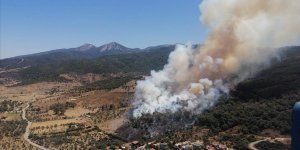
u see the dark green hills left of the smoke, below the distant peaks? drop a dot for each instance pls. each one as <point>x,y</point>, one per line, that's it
<point>140,62</point>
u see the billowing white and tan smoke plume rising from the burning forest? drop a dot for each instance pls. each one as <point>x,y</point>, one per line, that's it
<point>194,79</point>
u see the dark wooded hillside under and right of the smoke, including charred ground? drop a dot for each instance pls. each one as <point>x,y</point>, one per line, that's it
<point>261,102</point>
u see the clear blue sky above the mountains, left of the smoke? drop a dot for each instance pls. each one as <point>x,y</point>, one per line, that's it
<point>30,26</point>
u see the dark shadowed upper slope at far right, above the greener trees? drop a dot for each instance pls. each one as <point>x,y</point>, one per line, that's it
<point>281,78</point>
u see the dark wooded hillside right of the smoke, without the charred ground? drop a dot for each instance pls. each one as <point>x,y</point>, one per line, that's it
<point>262,102</point>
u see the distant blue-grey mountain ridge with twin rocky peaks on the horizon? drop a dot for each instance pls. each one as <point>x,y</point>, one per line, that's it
<point>85,51</point>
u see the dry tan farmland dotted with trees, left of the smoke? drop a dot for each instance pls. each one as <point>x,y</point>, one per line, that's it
<point>64,111</point>
